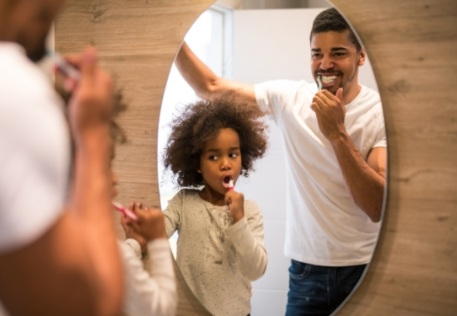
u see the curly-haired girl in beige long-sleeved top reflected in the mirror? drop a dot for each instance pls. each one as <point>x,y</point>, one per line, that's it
<point>220,247</point>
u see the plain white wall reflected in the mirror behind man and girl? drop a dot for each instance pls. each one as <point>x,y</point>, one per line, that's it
<point>273,44</point>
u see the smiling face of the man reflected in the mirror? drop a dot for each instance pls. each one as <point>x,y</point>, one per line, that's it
<point>335,60</point>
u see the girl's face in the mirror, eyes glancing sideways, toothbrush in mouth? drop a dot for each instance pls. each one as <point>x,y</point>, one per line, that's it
<point>220,161</point>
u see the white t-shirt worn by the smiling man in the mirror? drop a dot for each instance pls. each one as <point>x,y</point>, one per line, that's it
<point>323,224</point>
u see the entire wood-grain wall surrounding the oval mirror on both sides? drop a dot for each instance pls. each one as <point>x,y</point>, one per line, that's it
<point>411,45</point>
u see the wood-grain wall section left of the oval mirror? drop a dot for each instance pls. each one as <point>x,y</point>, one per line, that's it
<point>137,42</point>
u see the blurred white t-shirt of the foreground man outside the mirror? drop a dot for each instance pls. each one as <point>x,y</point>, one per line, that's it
<point>34,150</point>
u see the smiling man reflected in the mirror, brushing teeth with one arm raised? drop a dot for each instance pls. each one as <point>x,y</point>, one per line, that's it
<point>335,143</point>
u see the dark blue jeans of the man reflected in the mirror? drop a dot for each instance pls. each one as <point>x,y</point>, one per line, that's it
<point>316,290</point>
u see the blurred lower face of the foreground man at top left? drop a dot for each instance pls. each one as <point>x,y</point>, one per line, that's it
<point>34,20</point>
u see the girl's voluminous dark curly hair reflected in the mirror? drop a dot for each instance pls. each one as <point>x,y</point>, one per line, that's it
<point>200,122</point>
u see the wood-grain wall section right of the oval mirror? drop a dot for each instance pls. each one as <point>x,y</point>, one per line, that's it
<point>411,46</point>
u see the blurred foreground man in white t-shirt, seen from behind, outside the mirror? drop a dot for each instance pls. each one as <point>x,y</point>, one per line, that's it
<point>58,248</point>
